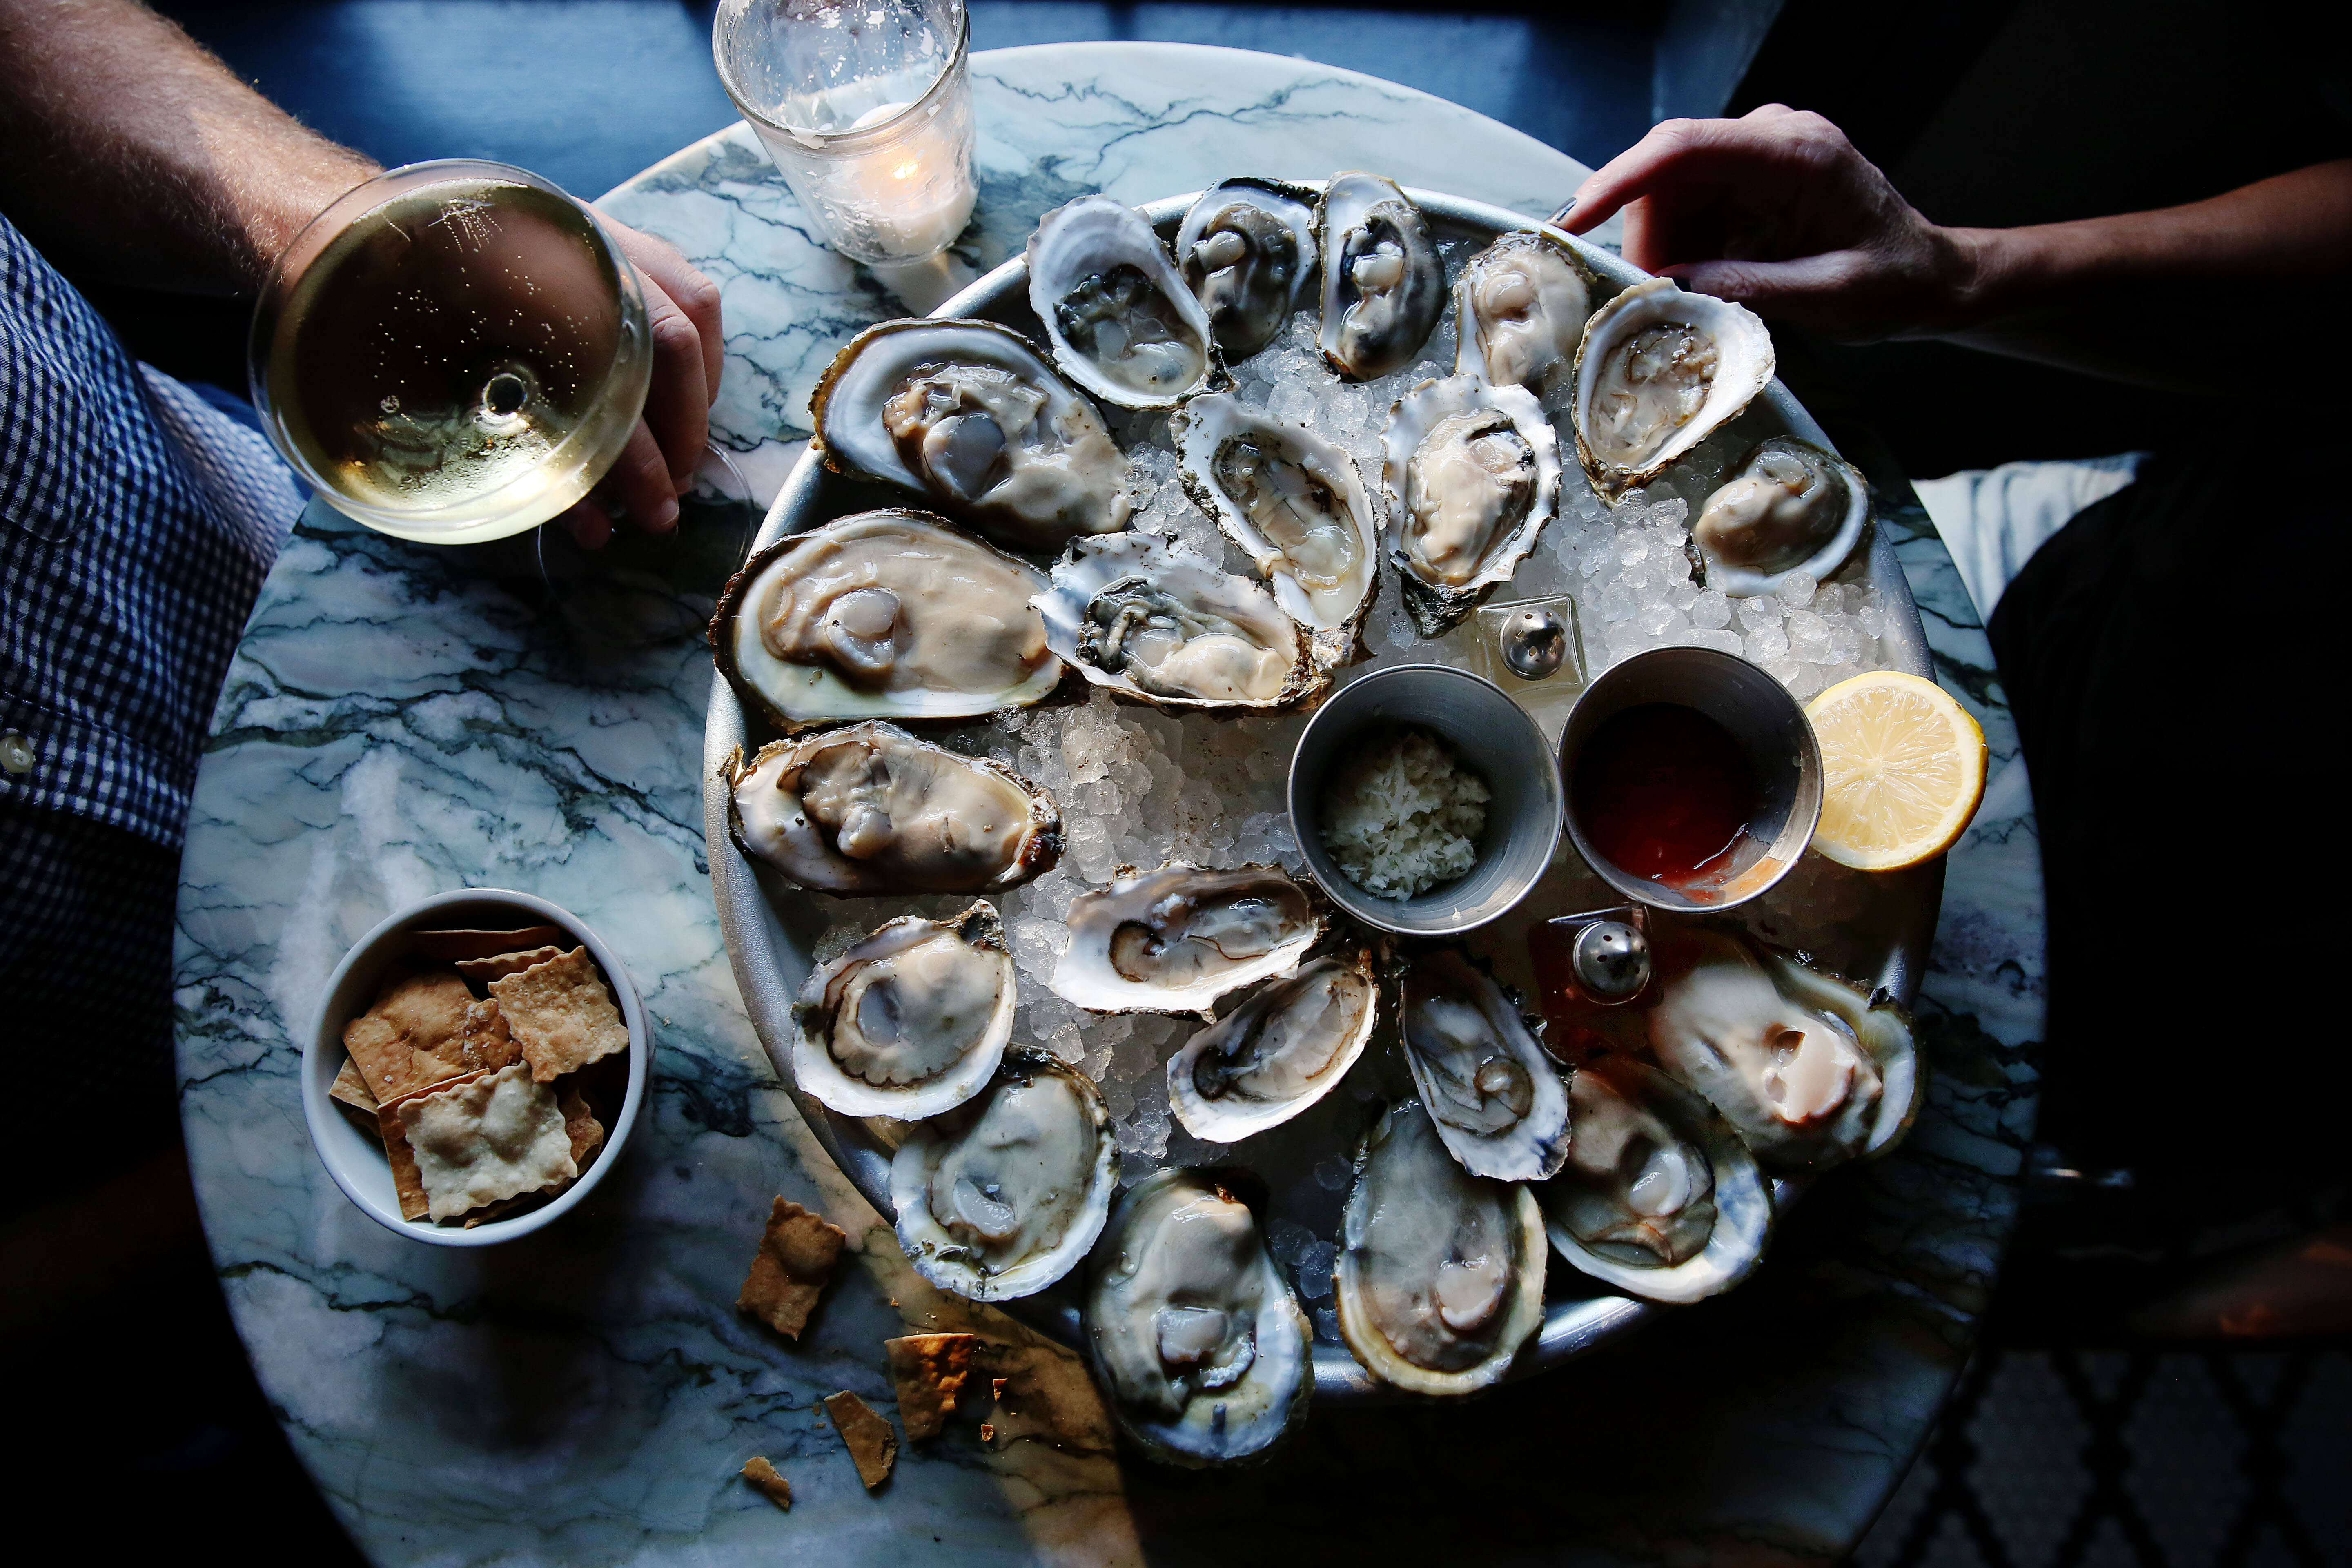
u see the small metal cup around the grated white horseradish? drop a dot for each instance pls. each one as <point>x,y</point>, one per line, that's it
<point>1492,737</point>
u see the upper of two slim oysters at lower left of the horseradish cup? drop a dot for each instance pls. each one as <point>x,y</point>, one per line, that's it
<point>1177,939</point>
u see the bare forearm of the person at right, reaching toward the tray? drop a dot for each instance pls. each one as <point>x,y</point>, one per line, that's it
<point>2123,295</point>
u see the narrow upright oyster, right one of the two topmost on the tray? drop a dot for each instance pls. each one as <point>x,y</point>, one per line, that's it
<point>1384,281</point>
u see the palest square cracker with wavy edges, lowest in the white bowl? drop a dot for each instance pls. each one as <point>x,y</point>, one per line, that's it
<point>493,1137</point>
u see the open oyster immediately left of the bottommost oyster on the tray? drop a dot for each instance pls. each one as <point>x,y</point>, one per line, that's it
<point>1005,1193</point>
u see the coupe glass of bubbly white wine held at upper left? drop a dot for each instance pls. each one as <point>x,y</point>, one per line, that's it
<point>453,351</point>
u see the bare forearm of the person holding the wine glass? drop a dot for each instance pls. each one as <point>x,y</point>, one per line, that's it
<point>135,156</point>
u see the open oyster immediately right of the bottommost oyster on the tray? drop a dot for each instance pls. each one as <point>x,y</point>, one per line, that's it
<point>1441,1273</point>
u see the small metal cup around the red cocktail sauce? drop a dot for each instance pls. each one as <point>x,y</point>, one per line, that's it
<point>1763,721</point>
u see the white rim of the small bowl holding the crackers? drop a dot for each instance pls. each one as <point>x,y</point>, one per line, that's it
<point>319,1108</point>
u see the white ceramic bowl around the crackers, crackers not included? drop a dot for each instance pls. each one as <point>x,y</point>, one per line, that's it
<point>354,1160</point>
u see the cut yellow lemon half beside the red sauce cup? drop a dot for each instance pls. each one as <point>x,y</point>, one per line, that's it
<point>1902,770</point>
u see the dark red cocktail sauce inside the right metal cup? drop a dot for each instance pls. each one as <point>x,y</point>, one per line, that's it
<point>1664,793</point>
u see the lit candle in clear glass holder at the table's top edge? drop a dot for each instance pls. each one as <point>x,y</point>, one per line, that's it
<point>867,109</point>
